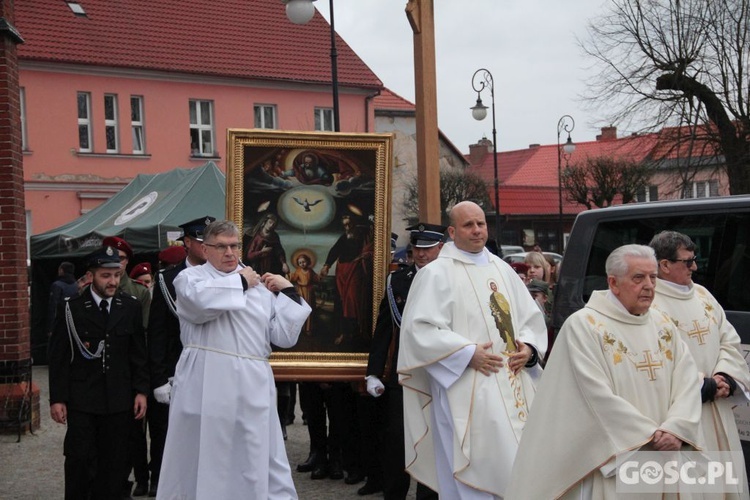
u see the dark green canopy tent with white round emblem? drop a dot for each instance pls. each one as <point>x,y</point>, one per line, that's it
<point>147,213</point>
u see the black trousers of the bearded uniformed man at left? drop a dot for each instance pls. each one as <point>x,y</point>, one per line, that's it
<point>96,455</point>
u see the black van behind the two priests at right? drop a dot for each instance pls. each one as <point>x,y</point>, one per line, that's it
<point>720,228</point>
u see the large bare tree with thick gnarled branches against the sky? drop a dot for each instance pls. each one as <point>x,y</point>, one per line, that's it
<point>679,63</point>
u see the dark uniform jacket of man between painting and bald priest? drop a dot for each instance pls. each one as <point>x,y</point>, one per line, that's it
<point>383,359</point>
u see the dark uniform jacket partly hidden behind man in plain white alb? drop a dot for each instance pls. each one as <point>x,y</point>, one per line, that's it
<point>164,345</point>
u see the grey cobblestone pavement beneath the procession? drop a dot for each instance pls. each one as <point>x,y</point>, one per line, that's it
<point>33,468</point>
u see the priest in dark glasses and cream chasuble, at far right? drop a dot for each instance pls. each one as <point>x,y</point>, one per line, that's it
<point>714,343</point>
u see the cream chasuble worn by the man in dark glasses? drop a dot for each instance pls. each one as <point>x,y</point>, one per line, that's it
<point>715,346</point>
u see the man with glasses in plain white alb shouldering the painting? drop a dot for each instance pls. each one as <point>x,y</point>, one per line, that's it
<point>224,439</point>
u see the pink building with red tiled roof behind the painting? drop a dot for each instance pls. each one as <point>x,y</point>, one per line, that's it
<point>113,89</point>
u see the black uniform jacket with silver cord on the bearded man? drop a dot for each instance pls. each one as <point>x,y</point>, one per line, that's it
<point>101,385</point>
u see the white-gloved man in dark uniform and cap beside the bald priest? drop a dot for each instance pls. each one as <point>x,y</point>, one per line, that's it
<point>382,380</point>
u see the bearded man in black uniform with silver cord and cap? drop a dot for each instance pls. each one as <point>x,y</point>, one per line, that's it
<point>98,380</point>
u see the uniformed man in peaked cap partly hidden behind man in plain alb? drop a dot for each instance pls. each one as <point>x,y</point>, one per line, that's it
<point>164,346</point>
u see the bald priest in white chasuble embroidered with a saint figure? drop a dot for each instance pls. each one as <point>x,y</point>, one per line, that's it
<point>471,342</point>
